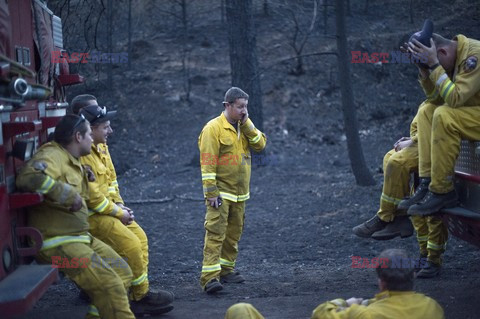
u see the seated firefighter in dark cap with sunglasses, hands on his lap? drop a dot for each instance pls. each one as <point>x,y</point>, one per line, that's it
<point>112,222</point>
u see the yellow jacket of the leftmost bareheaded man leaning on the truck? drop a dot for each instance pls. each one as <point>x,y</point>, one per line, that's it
<point>59,176</point>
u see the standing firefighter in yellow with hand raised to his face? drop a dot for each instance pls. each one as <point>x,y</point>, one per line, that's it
<point>225,160</point>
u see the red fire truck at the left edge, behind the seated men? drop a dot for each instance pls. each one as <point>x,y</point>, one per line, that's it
<point>32,100</point>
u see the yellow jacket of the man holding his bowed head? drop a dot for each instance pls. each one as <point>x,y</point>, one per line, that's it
<point>464,88</point>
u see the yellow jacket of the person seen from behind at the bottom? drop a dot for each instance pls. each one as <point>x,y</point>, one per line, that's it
<point>385,305</point>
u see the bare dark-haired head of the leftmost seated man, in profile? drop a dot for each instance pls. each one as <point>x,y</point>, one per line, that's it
<point>74,134</point>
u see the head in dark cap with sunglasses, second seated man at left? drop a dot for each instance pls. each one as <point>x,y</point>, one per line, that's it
<point>99,119</point>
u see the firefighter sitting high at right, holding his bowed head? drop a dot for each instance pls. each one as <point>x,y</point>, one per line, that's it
<point>453,70</point>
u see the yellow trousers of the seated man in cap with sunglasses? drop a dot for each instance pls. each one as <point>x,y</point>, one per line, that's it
<point>131,243</point>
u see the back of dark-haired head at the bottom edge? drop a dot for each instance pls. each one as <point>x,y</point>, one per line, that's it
<point>399,271</point>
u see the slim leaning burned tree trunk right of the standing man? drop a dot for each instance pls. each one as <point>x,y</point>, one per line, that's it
<point>355,152</point>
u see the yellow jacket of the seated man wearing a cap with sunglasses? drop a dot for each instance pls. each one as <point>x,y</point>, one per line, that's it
<point>104,193</point>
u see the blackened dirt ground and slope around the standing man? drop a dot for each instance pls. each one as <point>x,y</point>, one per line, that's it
<point>297,244</point>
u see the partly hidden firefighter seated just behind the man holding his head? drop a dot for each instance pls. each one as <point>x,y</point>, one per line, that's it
<point>432,233</point>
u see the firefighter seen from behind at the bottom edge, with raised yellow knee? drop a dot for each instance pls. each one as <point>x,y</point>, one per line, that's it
<point>396,299</point>
